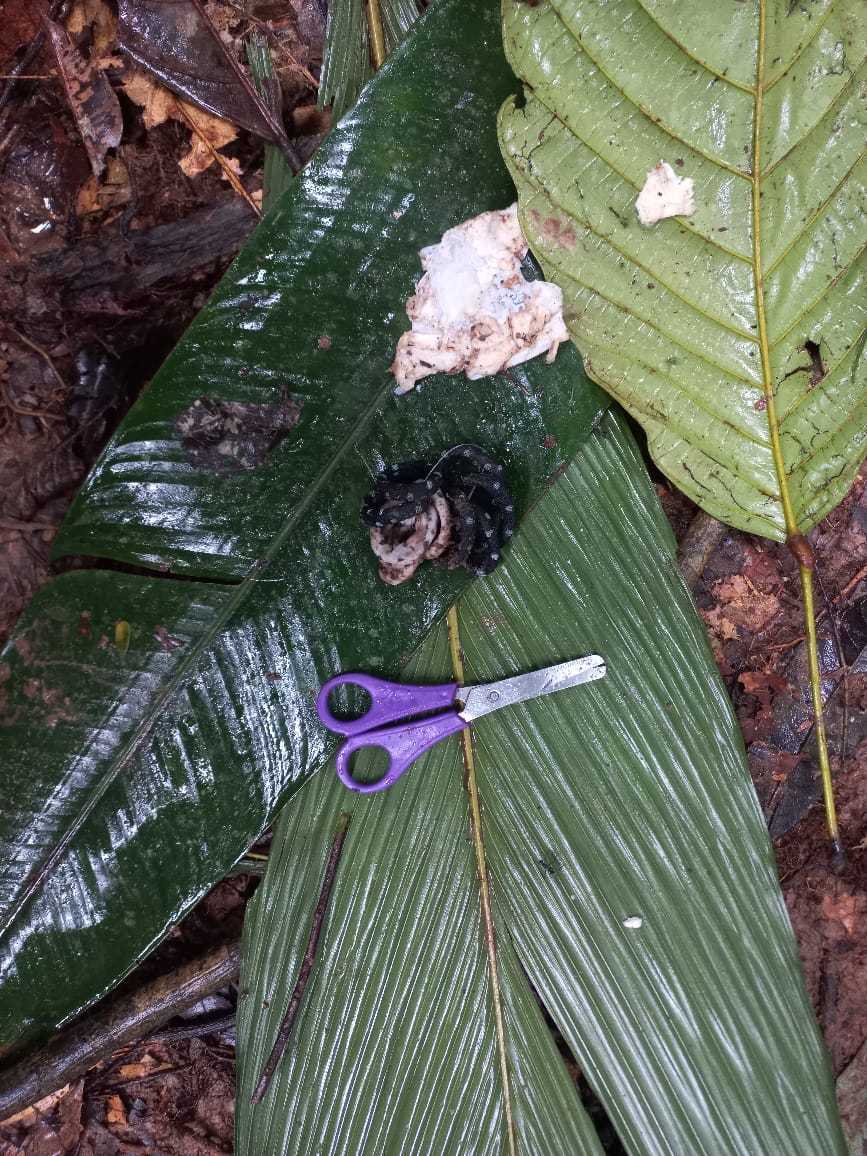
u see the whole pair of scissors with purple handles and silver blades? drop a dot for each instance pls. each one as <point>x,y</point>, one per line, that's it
<point>395,702</point>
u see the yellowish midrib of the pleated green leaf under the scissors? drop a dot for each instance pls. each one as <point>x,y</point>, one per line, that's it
<point>491,939</point>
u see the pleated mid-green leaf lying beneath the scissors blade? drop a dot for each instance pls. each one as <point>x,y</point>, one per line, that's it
<point>634,884</point>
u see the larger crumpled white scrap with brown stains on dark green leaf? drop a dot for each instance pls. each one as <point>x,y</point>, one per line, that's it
<point>473,310</point>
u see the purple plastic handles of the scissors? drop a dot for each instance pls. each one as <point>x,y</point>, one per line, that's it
<point>390,702</point>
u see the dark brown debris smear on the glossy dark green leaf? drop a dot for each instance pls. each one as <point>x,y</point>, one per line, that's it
<point>231,436</point>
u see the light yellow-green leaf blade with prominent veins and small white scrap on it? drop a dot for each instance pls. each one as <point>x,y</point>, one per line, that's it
<point>736,336</point>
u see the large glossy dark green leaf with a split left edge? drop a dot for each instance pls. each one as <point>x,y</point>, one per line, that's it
<point>134,781</point>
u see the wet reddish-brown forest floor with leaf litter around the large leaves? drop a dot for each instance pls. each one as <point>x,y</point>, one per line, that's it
<point>100,276</point>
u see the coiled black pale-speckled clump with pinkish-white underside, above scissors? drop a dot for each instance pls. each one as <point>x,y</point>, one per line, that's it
<point>456,512</point>
